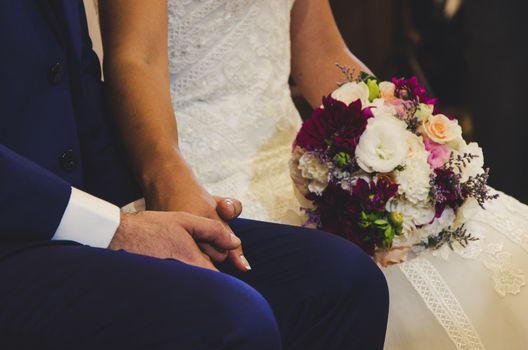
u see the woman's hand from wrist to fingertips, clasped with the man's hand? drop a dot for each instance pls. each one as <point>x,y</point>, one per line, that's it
<point>180,191</point>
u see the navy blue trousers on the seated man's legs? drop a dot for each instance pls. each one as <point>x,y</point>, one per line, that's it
<point>307,290</point>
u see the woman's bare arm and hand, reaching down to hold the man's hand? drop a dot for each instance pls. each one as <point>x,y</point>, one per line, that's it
<point>136,73</point>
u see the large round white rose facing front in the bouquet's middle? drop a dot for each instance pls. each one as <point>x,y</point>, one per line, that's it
<point>383,145</point>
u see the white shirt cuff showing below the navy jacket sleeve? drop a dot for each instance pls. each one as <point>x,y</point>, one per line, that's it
<point>88,220</point>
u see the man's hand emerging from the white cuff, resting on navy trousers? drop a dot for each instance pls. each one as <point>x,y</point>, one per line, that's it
<point>172,235</point>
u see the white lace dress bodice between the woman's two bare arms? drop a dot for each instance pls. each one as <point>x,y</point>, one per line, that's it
<point>229,69</point>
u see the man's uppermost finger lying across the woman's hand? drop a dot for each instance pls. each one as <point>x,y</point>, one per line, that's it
<point>210,231</point>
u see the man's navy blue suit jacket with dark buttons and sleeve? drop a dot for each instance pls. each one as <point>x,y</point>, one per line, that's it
<point>54,132</point>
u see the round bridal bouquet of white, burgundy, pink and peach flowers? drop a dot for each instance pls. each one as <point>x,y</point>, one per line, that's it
<point>378,164</point>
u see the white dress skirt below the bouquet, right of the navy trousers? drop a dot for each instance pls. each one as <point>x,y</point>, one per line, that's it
<point>452,301</point>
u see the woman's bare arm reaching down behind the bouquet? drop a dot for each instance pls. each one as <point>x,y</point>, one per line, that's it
<point>317,46</point>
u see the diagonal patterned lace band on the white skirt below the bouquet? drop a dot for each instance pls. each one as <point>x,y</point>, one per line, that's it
<point>442,303</point>
